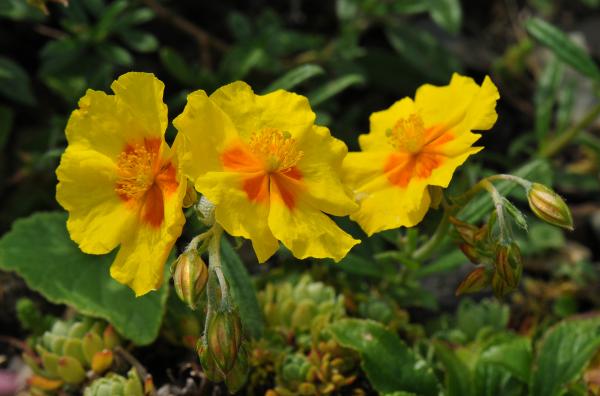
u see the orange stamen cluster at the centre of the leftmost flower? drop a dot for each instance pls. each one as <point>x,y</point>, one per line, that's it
<point>135,170</point>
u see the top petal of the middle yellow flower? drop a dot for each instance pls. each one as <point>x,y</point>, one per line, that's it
<point>251,113</point>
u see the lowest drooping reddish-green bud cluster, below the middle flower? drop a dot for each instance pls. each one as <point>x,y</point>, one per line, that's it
<point>222,352</point>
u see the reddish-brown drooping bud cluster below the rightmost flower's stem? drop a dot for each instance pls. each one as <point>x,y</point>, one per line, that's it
<point>499,263</point>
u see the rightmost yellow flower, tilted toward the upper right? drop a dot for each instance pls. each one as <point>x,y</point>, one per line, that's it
<point>415,144</point>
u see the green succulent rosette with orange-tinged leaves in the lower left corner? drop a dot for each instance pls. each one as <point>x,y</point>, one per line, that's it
<point>68,353</point>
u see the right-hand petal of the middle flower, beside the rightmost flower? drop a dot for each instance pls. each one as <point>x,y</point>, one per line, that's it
<point>320,166</point>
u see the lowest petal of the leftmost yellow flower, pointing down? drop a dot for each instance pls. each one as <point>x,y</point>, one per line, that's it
<point>144,249</point>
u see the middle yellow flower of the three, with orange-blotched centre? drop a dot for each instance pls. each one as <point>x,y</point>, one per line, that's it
<point>267,168</point>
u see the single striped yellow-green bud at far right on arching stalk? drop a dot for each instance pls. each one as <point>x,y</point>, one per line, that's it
<point>549,206</point>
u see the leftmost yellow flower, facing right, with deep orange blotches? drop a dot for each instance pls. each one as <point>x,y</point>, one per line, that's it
<point>120,182</point>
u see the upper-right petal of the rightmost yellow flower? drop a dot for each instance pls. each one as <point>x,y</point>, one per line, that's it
<point>462,105</point>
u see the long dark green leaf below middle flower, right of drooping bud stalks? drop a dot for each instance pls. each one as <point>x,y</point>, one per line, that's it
<point>242,291</point>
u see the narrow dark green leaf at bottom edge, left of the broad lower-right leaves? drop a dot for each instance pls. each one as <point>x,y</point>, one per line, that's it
<point>459,380</point>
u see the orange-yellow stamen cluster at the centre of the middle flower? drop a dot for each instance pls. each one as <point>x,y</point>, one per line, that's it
<point>277,149</point>
